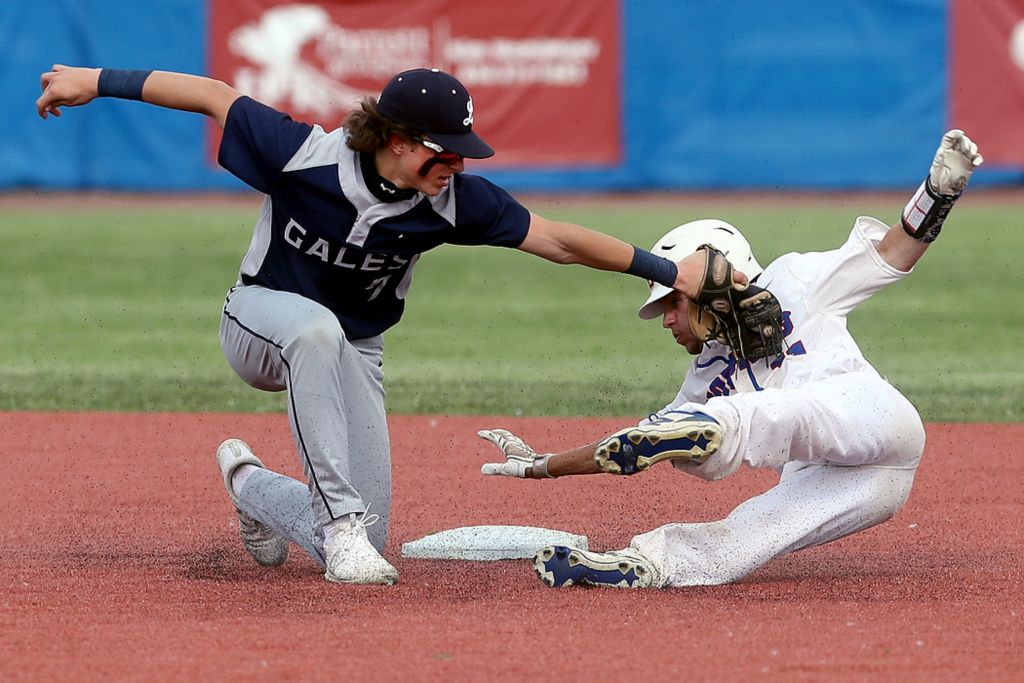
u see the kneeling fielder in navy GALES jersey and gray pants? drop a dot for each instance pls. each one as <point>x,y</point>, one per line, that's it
<point>347,217</point>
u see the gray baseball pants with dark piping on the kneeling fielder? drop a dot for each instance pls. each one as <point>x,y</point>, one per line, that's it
<point>279,341</point>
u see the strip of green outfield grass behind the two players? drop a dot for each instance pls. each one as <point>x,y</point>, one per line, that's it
<point>118,310</point>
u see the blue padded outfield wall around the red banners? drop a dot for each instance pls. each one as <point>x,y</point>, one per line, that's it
<point>744,95</point>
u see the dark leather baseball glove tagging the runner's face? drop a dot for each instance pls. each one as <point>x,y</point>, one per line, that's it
<point>749,319</point>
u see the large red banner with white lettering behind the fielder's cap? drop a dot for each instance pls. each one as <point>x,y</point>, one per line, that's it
<point>544,74</point>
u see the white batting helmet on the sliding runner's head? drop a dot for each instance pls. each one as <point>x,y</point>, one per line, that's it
<point>687,239</point>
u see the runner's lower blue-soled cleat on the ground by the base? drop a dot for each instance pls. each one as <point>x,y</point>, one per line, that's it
<point>562,567</point>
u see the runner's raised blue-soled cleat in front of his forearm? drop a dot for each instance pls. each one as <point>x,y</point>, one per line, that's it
<point>691,437</point>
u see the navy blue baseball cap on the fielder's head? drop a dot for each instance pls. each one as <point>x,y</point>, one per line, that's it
<point>437,105</point>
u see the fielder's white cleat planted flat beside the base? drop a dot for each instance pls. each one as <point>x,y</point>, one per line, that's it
<point>351,557</point>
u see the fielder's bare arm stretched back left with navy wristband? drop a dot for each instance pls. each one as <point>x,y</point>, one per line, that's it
<point>74,87</point>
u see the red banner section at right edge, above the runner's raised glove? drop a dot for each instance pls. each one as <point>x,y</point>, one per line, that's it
<point>988,76</point>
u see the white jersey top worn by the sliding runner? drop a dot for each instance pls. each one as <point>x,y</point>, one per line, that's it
<point>817,291</point>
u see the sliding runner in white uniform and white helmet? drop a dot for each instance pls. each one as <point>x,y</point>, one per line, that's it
<point>845,442</point>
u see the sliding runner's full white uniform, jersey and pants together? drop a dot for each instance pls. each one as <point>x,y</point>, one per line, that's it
<point>845,442</point>
